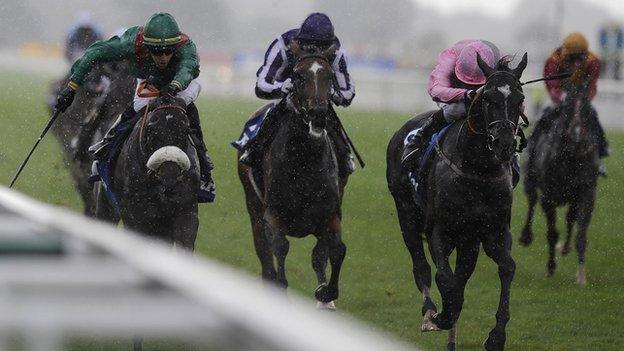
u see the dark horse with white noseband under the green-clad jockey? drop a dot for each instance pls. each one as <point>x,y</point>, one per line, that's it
<point>156,177</point>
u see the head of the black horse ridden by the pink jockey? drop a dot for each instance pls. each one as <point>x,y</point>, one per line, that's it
<point>501,100</point>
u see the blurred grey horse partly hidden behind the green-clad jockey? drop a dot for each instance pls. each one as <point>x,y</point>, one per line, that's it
<point>107,90</point>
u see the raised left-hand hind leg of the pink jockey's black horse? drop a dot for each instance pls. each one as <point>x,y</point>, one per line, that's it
<point>421,270</point>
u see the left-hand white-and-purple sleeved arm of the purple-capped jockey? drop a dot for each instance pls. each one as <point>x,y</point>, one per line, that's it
<point>269,81</point>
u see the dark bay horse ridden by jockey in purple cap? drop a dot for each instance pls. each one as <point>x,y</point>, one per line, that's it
<point>301,191</point>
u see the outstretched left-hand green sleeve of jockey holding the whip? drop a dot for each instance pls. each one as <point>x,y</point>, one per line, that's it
<point>113,49</point>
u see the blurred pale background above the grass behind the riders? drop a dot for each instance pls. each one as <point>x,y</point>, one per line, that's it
<point>392,45</point>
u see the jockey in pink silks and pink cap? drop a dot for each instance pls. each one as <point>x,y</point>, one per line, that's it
<point>452,84</point>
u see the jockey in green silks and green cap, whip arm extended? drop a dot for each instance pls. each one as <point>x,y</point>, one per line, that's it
<point>169,58</point>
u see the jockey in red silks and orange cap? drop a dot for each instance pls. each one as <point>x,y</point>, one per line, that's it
<point>573,56</point>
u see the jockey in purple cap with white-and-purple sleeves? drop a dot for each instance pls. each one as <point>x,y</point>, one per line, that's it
<point>274,82</point>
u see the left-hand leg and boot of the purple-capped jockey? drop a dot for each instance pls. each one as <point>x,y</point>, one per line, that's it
<point>252,156</point>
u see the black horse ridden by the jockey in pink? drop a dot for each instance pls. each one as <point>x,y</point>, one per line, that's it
<point>468,190</point>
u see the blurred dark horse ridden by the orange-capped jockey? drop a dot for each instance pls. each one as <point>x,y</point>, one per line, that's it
<point>563,167</point>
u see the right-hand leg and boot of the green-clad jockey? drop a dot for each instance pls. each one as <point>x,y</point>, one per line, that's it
<point>207,190</point>
